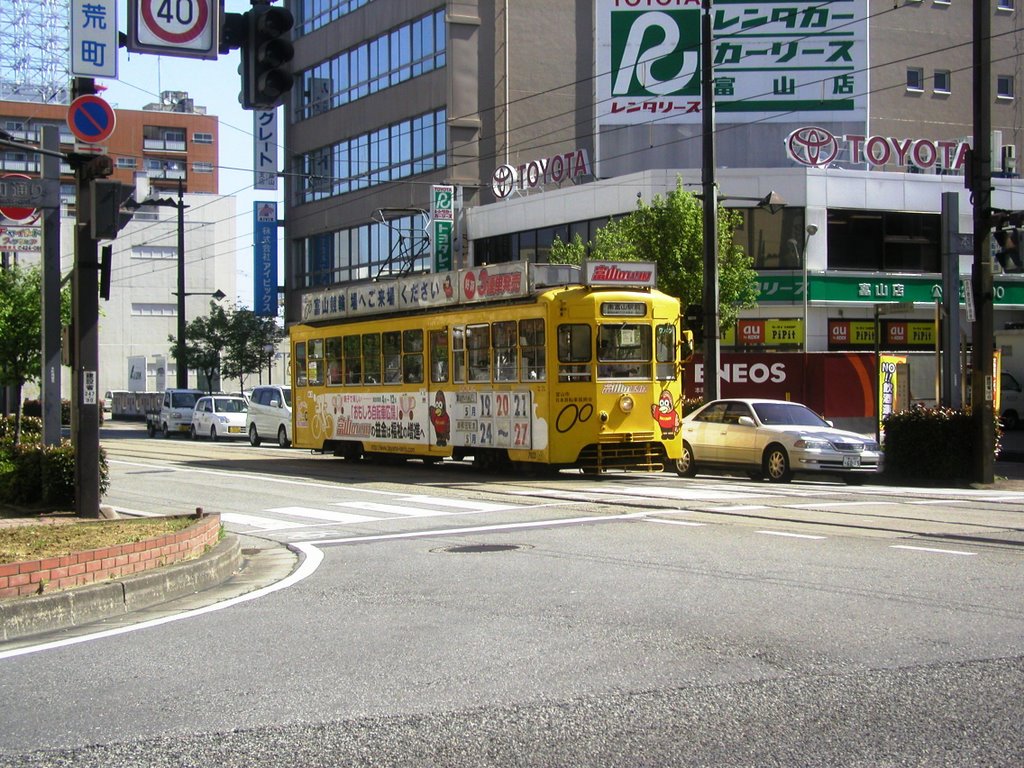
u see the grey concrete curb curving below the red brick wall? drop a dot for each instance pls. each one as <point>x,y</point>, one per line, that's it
<point>32,616</point>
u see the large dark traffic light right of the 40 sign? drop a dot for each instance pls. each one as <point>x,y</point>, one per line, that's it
<point>267,53</point>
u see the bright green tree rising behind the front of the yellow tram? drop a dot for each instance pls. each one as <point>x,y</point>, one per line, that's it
<point>670,233</point>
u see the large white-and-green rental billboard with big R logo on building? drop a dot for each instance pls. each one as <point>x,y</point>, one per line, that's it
<point>787,62</point>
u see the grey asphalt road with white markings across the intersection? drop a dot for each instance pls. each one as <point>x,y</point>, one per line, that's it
<point>578,631</point>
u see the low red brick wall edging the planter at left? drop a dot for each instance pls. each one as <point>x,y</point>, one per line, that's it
<point>55,574</point>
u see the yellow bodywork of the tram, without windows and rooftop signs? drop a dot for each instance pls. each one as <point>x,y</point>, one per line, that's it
<point>547,420</point>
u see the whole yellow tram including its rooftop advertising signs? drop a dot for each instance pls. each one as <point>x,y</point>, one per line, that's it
<point>517,365</point>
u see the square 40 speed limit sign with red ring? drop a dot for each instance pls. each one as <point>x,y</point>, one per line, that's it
<point>175,28</point>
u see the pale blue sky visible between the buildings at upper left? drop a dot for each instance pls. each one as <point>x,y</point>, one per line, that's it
<point>216,86</point>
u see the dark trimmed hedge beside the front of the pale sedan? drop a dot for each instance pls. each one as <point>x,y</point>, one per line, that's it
<point>931,444</point>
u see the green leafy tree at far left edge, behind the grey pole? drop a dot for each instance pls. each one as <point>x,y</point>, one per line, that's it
<point>21,331</point>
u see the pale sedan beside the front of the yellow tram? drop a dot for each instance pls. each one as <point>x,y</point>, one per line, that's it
<point>773,440</point>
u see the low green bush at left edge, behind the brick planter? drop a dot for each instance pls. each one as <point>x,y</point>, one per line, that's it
<point>32,475</point>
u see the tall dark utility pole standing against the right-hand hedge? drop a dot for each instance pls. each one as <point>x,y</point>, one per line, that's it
<point>982,277</point>
